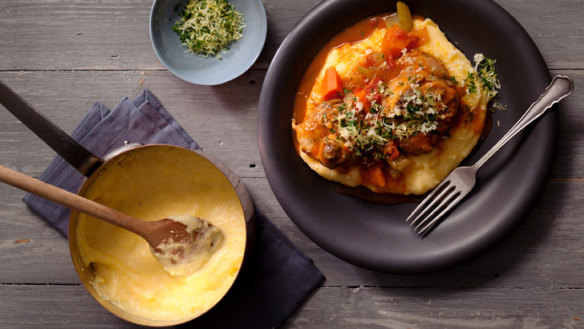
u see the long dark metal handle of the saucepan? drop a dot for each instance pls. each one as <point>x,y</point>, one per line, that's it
<point>69,149</point>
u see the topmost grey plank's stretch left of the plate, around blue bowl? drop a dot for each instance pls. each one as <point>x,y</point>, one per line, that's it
<point>77,31</point>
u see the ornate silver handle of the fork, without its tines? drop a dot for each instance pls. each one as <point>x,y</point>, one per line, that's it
<point>560,87</point>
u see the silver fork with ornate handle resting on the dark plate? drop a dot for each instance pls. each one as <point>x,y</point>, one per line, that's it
<point>461,180</point>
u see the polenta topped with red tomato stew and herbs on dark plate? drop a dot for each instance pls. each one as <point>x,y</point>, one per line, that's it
<point>389,109</point>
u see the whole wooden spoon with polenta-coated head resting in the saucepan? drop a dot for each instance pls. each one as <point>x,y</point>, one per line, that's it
<point>182,244</point>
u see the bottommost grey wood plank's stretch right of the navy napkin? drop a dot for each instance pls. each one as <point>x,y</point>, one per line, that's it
<point>362,307</point>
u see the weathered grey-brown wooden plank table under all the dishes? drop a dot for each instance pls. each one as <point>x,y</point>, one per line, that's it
<point>64,55</point>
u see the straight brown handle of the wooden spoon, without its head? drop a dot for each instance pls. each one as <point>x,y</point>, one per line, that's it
<point>71,200</point>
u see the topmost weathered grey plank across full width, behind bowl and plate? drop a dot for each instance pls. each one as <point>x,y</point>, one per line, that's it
<point>114,35</point>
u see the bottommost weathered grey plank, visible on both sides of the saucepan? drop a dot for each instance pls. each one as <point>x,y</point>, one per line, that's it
<point>332,307</point>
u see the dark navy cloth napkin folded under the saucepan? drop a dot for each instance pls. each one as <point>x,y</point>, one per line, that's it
<point>274,280</point>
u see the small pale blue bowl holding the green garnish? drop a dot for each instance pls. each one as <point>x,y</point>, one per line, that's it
<point>207,70</point>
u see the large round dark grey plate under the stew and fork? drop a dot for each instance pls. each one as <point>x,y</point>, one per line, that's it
<point>375,236</point>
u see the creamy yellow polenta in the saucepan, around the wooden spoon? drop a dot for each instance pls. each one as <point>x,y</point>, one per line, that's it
<point>152,185</point>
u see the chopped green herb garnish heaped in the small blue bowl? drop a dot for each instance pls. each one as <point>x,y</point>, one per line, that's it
<point>207,27</point>
